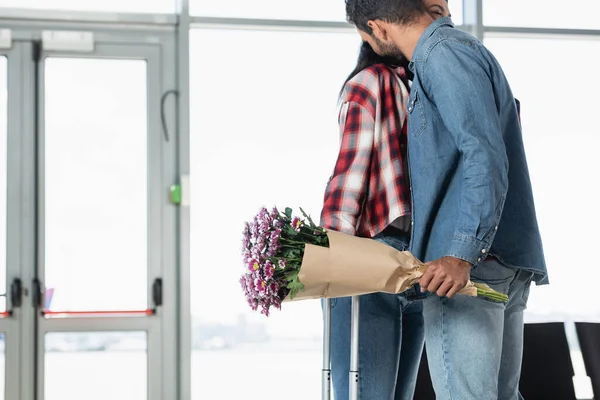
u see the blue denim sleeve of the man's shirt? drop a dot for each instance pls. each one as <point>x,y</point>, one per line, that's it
<point>457,79</point>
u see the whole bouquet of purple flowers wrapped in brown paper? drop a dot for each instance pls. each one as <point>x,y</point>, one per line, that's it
<point>288,258</point>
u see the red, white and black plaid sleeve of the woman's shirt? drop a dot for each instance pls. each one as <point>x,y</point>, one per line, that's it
<point>347,188</point>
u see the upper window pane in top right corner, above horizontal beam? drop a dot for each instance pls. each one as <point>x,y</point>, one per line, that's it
<point>541,13</point>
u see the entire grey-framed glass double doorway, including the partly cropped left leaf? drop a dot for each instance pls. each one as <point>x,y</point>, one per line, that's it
<point>88,266</point>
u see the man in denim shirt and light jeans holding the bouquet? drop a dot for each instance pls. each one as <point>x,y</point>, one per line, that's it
<point>473,211</point>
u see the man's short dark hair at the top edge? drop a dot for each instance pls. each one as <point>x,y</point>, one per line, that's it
<point>402,12</point>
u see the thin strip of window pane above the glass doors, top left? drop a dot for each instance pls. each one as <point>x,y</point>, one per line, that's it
<point>135,6</point>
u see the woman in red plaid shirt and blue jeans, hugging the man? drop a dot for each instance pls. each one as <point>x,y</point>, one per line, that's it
<point>368,195</point>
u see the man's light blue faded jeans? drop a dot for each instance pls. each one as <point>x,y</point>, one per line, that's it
<point>474,346</point>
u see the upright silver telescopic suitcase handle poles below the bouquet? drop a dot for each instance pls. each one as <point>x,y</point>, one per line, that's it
<point>326,371</point>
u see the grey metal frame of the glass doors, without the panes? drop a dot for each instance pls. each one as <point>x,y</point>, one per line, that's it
<point>156,45</point>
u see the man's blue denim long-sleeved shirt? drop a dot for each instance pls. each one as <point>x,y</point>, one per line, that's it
<point>472,194</point>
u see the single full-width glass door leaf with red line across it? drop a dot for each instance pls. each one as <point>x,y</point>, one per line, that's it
<point>100,207</point>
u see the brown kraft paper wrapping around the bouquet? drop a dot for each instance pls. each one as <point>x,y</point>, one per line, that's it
<point>353,266</point>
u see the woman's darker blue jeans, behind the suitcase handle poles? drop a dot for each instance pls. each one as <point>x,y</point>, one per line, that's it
<point>391,339</point>
